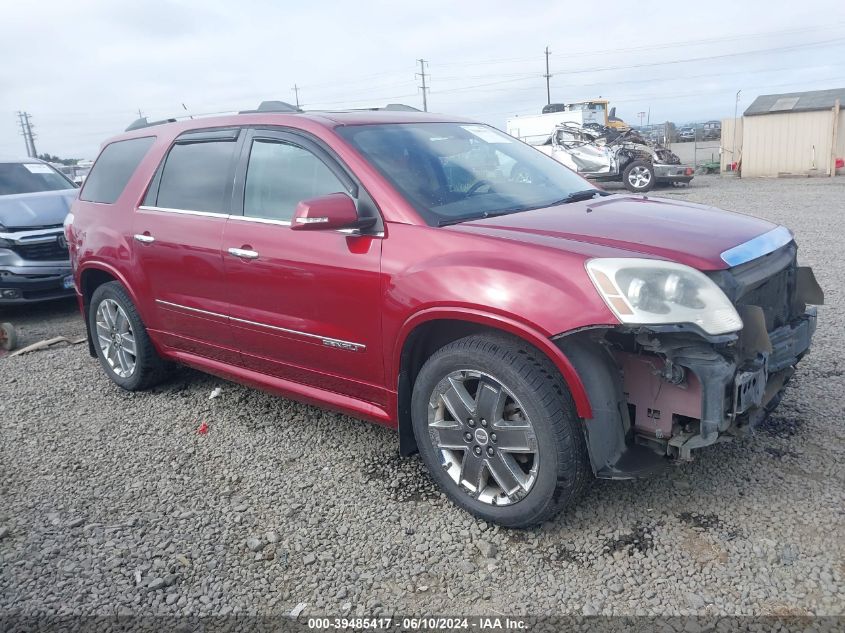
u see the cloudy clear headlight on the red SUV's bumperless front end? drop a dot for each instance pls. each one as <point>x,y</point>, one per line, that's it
<point>654,292</point>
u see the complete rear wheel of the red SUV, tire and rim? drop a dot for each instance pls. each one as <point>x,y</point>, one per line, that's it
<point>123,346</point>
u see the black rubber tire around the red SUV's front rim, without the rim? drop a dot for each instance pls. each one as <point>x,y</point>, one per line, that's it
<point>563,469</point>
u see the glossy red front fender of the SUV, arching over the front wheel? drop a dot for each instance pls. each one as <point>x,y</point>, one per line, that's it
<point>533,291</point>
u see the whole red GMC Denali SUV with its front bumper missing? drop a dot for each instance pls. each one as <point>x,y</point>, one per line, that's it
<point>521,329</point>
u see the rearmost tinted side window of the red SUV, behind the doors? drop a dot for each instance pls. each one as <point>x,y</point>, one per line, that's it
<point>113,169</point>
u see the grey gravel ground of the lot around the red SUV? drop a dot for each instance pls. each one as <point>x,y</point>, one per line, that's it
<point>111,502</point>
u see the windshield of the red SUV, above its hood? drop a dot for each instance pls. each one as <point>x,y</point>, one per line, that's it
<point>456,171</point>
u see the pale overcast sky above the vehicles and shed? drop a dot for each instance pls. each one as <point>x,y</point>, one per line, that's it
<point>83,68</point>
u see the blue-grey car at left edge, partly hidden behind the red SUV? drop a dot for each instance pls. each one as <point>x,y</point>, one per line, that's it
<point>34,263</point>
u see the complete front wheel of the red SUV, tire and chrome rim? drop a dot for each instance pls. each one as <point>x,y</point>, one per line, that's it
<point>497,428</point>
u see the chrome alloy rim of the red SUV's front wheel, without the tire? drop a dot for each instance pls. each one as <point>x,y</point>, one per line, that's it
<point>484,438</point>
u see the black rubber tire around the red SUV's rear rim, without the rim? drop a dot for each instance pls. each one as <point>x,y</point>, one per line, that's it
<point>149,368</point>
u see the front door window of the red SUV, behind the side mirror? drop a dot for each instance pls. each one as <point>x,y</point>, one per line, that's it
<point>280,176</point>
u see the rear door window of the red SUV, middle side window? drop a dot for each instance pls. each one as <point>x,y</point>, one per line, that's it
<point>198,177</point>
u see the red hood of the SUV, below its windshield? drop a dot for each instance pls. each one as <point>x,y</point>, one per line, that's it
<point>692,234</point>
